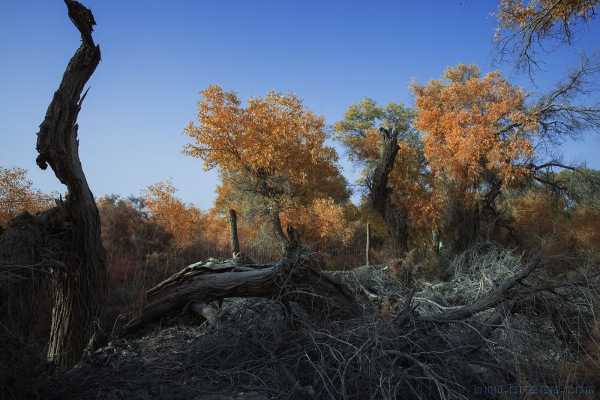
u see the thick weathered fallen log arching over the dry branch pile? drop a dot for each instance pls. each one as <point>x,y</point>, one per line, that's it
<point>296,277</point>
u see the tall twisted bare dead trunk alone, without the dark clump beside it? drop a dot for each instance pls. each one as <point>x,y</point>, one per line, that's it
<point>80,287</point>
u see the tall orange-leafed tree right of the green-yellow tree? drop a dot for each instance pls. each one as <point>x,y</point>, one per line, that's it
<point>477,138</point>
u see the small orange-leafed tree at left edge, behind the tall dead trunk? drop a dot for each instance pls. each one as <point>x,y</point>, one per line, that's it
<point>17,195</point>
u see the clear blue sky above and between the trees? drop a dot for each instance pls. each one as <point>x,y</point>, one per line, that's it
<point>157,55</point>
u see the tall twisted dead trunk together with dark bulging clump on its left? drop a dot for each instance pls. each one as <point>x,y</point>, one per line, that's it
<point>66,240</point>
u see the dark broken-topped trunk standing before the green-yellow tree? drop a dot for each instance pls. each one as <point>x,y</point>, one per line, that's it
<point>379,193</point>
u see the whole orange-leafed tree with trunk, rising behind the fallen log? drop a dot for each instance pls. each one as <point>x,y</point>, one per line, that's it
<point>271,151</point>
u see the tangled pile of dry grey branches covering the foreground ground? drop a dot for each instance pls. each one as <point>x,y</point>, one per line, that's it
<point>500,321</point>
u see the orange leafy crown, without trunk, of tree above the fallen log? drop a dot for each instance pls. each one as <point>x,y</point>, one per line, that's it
<point>272,135</point>
